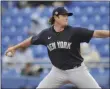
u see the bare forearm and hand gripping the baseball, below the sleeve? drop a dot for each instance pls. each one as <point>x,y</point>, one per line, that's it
<point>26,43</point>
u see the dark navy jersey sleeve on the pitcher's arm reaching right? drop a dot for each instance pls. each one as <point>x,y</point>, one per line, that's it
<point>84,35</point>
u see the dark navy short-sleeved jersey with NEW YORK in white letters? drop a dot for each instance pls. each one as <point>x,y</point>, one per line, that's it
<point>63,47</point>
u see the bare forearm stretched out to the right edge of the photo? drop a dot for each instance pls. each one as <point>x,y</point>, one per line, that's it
<point>101,33</point>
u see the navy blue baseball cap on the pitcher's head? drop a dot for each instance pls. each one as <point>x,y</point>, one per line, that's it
<point>61,11</point>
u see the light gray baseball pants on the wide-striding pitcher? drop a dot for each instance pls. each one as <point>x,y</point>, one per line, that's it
<point>80,77</point>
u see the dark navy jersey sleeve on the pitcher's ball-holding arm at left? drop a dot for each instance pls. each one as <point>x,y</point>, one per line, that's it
<point>38,39</point>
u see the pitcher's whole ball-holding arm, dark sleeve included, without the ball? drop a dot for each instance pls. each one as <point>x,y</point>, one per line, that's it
<point>34,40</point>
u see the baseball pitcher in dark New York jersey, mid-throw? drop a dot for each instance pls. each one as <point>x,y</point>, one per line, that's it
<point>63,43</point>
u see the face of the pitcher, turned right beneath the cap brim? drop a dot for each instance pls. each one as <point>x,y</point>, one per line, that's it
<point>62,20</point>
